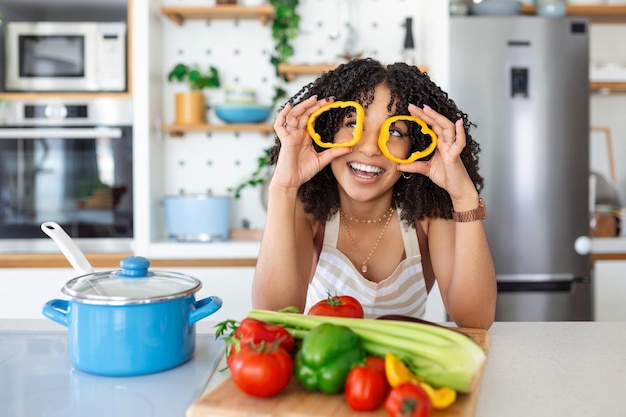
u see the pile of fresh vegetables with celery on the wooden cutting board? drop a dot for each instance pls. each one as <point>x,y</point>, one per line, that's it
<point>407,368</point>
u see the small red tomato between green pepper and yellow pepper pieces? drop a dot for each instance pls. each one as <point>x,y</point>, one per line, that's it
<point>365,389</point>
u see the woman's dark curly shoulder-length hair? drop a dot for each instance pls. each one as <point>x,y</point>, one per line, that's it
<point>417,196</point>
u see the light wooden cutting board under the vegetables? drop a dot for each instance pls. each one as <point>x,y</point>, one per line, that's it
<point>226,400</point>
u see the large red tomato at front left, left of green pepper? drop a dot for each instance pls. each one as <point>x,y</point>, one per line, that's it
<point>261,372</point>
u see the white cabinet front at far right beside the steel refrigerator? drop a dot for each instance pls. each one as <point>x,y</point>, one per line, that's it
<point>609,291</point>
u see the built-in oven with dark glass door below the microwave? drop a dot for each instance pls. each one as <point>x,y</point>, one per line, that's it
<point>69,162</point>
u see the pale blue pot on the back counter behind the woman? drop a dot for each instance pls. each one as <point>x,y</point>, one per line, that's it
<point>198,218</point>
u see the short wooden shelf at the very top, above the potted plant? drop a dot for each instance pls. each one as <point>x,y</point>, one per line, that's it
<point>178,14</point>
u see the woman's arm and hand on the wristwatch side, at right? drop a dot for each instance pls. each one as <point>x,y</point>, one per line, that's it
<point>459,252</point>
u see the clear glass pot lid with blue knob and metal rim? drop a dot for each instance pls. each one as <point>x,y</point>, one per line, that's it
<point>133,284</point>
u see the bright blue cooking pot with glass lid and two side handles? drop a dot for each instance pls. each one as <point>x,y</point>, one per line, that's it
<point>132,321</point>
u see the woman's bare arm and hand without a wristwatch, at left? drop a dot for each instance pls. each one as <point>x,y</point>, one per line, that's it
<point>284,264</point>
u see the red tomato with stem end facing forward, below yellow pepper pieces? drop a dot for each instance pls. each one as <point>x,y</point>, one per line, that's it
<point>408,400</point>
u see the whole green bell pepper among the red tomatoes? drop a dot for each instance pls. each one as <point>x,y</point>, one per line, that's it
<point>327,355</point>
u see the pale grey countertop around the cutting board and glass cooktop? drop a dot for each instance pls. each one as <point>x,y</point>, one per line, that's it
<point>533,368</point>
